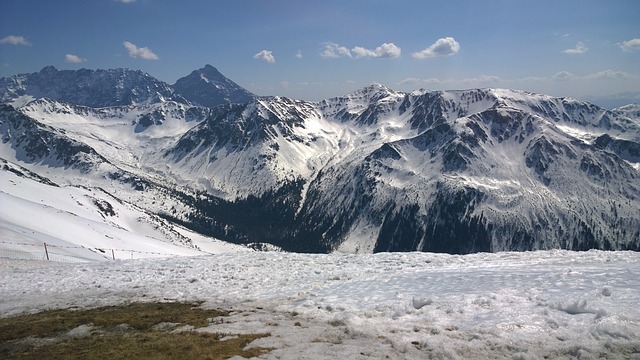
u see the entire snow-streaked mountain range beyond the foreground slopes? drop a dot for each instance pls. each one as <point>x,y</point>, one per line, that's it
<point>373,170</point>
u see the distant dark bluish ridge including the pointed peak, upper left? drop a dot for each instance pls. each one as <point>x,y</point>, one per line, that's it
<point>121,87</point>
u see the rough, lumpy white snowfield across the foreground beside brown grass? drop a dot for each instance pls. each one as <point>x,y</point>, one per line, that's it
<point>554,304</point>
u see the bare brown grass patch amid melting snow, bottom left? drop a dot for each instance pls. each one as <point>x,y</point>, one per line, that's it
<point>46,335</point>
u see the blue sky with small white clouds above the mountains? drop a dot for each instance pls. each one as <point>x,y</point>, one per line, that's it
<point>314,50</point>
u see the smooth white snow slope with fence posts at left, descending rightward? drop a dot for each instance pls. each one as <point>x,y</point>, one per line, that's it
<point>85,224</point>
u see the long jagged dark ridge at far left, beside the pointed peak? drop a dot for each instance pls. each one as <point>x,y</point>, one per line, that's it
<point>94,88</point>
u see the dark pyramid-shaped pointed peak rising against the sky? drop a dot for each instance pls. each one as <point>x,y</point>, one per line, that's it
<point>208,87</point>
